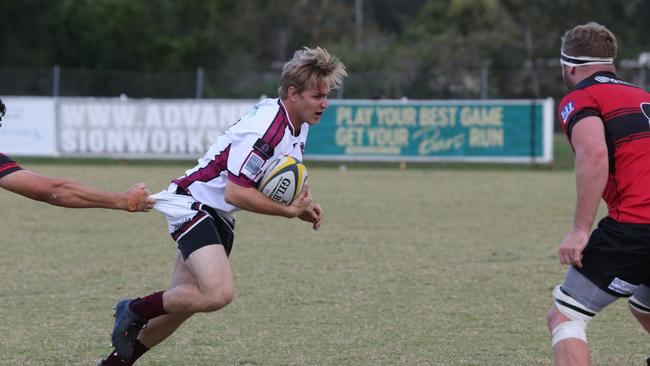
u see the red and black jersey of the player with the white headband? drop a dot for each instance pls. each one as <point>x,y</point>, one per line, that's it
<point>625,111</point>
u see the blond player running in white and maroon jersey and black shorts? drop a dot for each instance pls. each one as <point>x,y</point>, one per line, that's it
<point>200,205</point>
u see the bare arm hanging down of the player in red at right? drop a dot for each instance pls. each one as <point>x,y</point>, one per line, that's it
<point>592,164</point>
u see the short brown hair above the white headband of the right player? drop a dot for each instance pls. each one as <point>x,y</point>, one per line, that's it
<point>589,40</point>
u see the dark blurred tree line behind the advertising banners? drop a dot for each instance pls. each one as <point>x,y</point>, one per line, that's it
<point>415,48</point>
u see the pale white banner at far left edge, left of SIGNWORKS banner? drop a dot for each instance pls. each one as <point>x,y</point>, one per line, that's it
<point>28,127</point>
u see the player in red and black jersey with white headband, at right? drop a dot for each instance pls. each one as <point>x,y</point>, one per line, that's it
<point>607,121</point>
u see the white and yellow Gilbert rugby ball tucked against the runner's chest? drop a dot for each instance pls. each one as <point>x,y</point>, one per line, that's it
<point>283,180</point>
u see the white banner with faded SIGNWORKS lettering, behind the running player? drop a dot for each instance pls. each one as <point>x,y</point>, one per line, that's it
<point>143,128</point>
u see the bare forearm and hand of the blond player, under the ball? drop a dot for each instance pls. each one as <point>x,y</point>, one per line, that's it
<point>250,199</point>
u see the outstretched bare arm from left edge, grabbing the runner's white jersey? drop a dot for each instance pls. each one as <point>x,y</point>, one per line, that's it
<point>68,193</point>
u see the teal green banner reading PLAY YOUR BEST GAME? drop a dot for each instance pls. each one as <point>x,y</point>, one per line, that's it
<point>512,131</point>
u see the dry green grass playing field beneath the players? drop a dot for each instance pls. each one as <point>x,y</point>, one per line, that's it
<point>414,267</point>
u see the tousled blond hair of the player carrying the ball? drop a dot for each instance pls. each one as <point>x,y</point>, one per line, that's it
<point>311,67</point>
